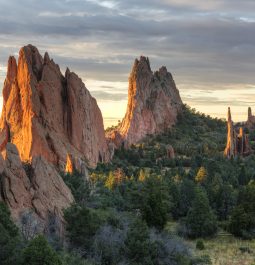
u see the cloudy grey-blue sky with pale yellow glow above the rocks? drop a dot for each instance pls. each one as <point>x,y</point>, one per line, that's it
<point>208,46</point>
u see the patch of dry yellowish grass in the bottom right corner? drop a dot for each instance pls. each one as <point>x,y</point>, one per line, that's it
<point>224,249</point>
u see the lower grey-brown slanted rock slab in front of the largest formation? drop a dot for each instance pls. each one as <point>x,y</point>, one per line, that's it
<point>38,188</point>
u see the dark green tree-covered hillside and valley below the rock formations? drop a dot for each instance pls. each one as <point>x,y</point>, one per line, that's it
<point>153,202</point>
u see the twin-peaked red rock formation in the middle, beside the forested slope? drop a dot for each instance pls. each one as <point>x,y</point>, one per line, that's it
<point>153,104</point>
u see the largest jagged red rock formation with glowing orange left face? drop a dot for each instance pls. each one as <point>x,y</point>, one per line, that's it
<point>48,114</point>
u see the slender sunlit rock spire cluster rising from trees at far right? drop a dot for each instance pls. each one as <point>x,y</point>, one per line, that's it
<point>237,143</point>
